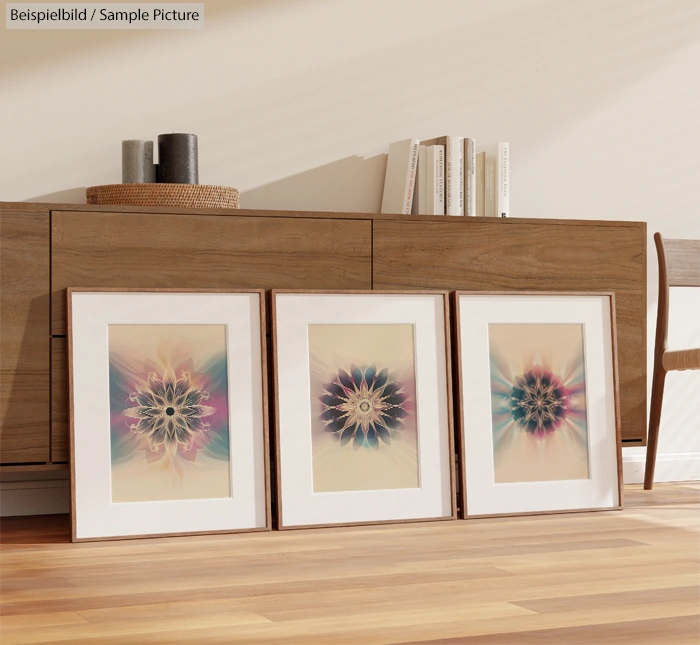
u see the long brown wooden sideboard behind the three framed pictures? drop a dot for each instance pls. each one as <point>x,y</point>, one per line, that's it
<point>45,248</point>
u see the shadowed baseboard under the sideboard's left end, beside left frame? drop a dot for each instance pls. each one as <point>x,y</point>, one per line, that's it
<point>37,497</point>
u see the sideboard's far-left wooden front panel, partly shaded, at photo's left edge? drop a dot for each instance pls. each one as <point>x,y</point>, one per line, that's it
<point>24,335</point>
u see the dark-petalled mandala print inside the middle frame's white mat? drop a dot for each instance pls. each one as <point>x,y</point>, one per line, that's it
<point>364,433</point>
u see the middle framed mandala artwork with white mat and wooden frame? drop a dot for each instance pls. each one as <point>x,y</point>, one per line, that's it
<point>363,409</point>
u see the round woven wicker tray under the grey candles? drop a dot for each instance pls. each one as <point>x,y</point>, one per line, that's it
<point>187,195</point>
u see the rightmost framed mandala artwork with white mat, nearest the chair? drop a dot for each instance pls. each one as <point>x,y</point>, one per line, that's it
<point>538,402</point>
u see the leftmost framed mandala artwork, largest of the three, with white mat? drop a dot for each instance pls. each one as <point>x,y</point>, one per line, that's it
<point>167,412</point>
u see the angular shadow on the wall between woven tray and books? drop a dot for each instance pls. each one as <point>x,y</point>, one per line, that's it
<point>353,184</point>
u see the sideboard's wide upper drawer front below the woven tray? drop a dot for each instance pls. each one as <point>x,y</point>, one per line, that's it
<point>93,249</point>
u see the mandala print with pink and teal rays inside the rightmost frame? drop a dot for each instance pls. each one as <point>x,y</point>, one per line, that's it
<point>538,401</point>
